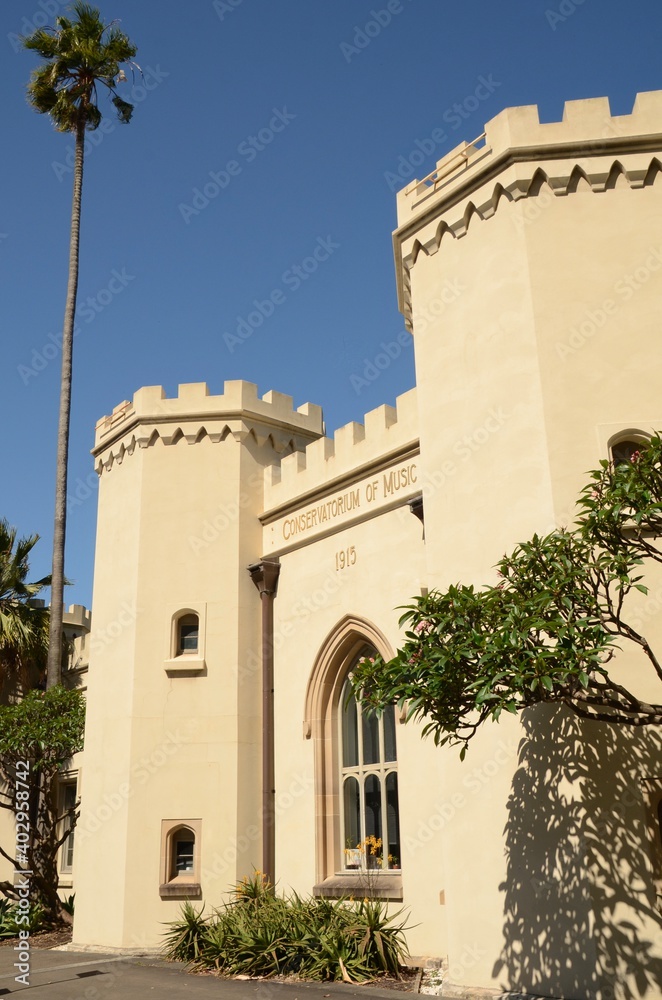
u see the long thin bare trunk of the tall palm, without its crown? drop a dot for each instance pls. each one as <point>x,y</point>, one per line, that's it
<point>54,669</point>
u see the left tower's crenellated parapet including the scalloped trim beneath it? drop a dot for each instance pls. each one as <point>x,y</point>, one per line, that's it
<point>193,415</point>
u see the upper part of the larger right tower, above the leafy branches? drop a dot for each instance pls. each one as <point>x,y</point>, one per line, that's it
<point>529,268</point>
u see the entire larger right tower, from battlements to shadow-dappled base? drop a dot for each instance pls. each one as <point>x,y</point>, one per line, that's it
<point>529,269</point>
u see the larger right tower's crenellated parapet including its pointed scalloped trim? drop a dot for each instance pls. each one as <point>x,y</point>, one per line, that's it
<point>518,157</point>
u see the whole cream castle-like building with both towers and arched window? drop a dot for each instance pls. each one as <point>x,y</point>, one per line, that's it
<point>241,551</point>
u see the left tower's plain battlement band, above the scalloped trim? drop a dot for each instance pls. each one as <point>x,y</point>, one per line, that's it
<point>239,403</point>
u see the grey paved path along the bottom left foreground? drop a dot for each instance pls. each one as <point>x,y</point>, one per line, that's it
<point>57,975</point>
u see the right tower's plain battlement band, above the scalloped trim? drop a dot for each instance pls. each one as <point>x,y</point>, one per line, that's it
<point>587,128</point>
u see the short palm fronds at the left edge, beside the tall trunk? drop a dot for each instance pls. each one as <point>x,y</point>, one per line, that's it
<point>23,620</point>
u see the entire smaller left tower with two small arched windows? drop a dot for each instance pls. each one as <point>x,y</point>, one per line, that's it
<point>181,487</point>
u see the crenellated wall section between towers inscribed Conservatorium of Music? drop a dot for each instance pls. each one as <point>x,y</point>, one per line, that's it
<point>364,467</point>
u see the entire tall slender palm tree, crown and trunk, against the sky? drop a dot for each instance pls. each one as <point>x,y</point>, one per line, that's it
<point>82,53</point>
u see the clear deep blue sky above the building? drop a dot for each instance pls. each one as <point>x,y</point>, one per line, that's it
<point>163,288</point>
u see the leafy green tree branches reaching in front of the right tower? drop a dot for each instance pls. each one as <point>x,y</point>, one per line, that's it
<point>547,631</point>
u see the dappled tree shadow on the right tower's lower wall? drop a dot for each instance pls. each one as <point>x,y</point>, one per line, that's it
<point>582,918</point>
